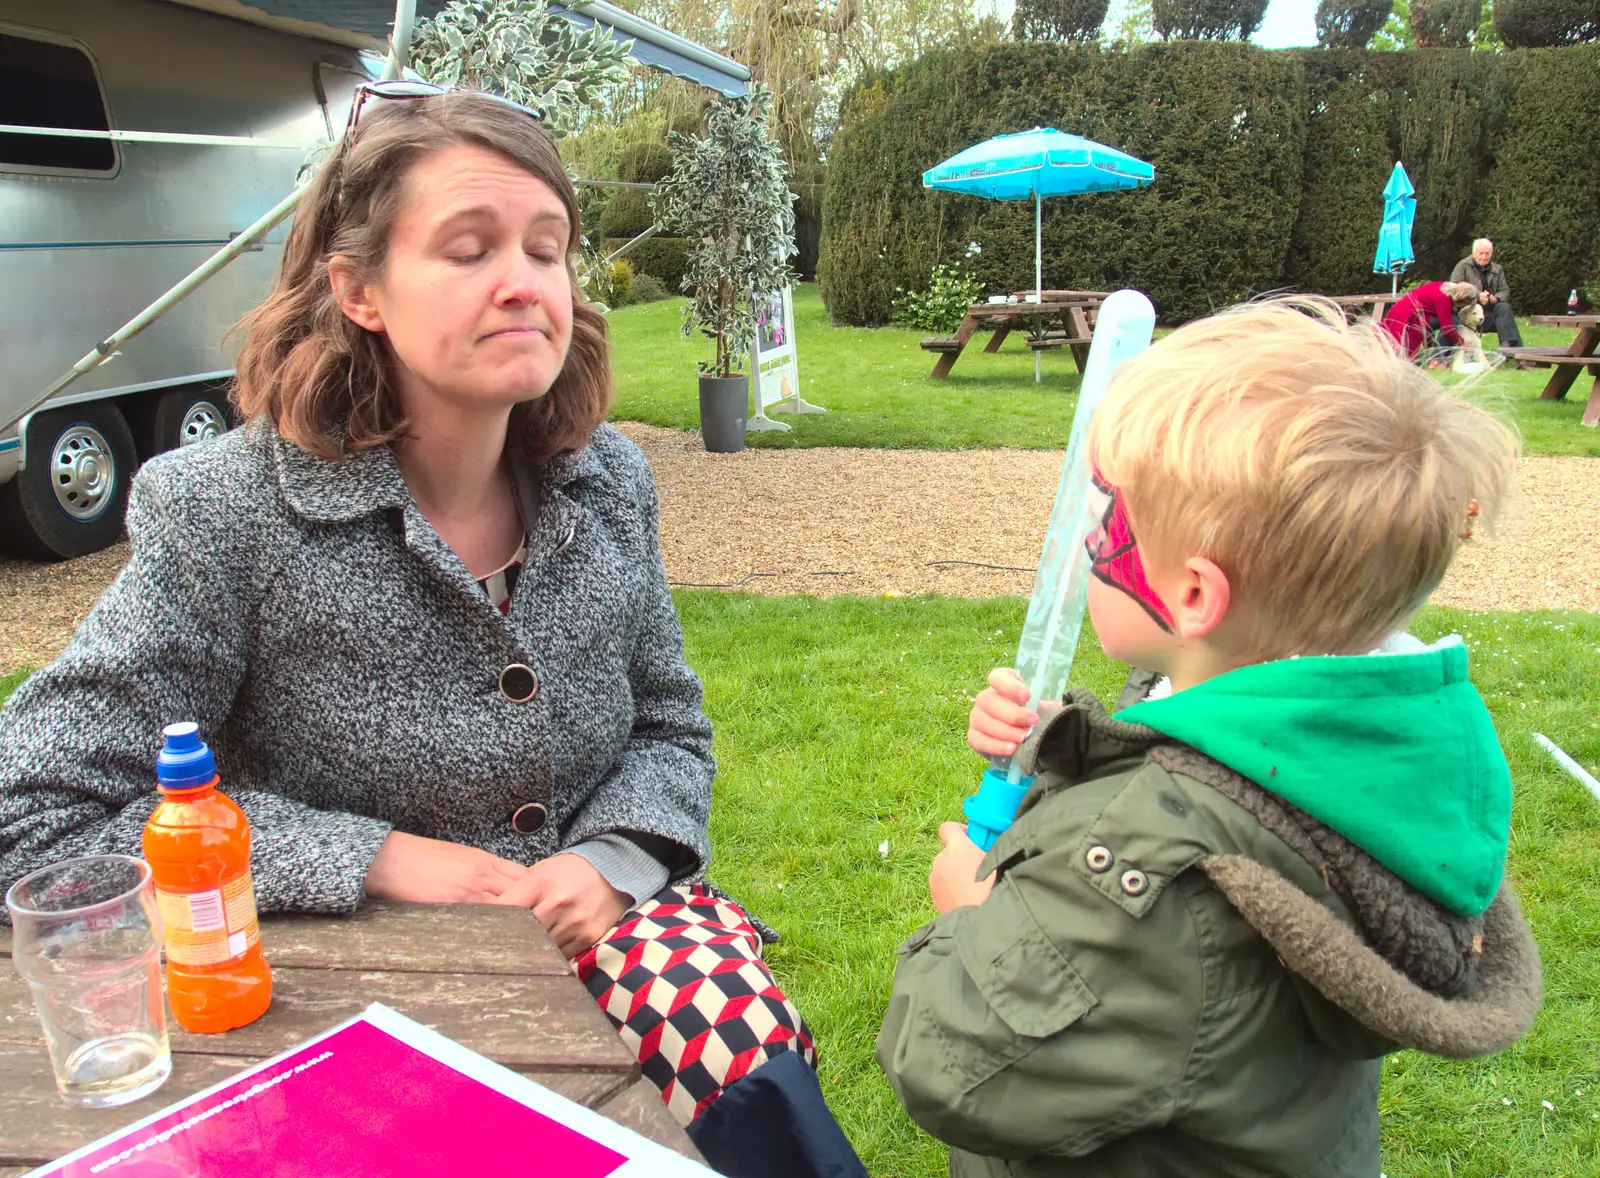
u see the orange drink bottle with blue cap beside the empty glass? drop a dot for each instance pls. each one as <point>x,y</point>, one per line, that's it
<point>198,844</point>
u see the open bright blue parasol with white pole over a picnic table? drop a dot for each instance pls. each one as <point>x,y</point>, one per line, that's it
<point>1038,164</point>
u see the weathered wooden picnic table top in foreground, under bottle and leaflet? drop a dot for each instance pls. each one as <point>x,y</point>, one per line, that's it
<point>484,976</point>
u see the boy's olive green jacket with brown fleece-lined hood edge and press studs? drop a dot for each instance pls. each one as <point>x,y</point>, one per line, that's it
<point>1182,974</point>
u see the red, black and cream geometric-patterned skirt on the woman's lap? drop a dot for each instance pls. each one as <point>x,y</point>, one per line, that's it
<point>684,982</point>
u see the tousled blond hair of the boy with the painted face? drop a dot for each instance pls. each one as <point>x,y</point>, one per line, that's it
<point>1329,478</point>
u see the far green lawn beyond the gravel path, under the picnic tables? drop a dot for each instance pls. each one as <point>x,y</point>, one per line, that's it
<point>874,385</point>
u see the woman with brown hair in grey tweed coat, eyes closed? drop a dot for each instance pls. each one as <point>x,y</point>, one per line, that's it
<point>418,609</point>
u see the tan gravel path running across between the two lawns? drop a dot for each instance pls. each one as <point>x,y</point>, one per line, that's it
<point>881,521</point>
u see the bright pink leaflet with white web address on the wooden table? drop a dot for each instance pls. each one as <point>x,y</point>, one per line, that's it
<point>375,1107</point>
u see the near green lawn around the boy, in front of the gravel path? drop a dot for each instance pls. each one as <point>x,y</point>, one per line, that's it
<point>841,726</point>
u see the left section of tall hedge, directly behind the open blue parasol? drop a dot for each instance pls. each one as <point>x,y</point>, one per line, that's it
<point>1218,121</point>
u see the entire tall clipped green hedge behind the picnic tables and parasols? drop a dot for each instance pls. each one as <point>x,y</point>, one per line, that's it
<point>1270,170</point>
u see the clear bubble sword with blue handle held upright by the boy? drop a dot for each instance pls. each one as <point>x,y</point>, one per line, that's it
<point>1055,615</point>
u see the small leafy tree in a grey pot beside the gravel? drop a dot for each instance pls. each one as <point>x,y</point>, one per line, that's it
<point>729,196</point>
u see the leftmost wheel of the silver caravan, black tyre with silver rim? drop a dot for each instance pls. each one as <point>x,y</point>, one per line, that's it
<point>71,497</point>
